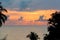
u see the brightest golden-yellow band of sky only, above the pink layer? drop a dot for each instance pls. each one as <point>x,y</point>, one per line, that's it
<point>34,15</point>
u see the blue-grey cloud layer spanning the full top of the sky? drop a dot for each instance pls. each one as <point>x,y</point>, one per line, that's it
<point>33,4</point>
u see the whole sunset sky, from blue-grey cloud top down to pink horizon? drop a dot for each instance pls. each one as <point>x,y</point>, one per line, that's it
<point>27,12</point>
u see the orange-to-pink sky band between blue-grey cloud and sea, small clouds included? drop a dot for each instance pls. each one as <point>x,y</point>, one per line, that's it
<point>28,18</point>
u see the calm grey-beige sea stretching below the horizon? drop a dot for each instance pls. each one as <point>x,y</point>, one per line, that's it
<point>20,32</point>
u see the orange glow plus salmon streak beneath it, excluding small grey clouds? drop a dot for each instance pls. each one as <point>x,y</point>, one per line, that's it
<point>29,17</point>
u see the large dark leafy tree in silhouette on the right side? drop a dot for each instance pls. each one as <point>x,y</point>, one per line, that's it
<point>54,27</point>
